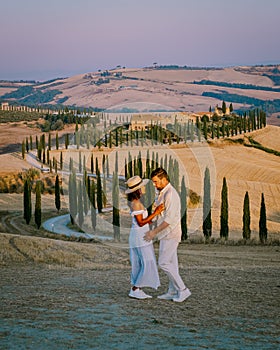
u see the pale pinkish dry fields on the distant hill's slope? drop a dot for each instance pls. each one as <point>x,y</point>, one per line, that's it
<point>170,88</point>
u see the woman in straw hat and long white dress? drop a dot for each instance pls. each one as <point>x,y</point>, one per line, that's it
<point>144,271</point>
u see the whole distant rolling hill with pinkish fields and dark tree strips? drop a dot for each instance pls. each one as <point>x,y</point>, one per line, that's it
<point>159,88</point>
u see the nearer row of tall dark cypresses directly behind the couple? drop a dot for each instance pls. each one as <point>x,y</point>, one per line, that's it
<point>88,194</point>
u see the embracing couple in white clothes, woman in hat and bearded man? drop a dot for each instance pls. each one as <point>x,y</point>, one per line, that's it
<point>144,272</point>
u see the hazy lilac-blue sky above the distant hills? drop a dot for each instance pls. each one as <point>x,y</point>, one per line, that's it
<point>45,39</point>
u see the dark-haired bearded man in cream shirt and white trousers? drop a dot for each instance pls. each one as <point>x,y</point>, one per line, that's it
<point>168,231</point>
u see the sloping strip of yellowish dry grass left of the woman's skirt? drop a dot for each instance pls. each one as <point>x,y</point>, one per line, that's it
<point>26,249</point>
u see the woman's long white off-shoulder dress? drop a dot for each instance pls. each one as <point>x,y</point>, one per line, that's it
<point>144,271</point>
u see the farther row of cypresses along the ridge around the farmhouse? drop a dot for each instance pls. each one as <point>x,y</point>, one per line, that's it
<point>117,135</point>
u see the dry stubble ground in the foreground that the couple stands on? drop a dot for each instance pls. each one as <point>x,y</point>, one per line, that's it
<point>76,298</point>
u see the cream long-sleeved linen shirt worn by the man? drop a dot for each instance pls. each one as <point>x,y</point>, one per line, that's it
<point>172,213</point>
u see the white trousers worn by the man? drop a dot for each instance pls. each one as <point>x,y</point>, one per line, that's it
<point>168,262</point>
